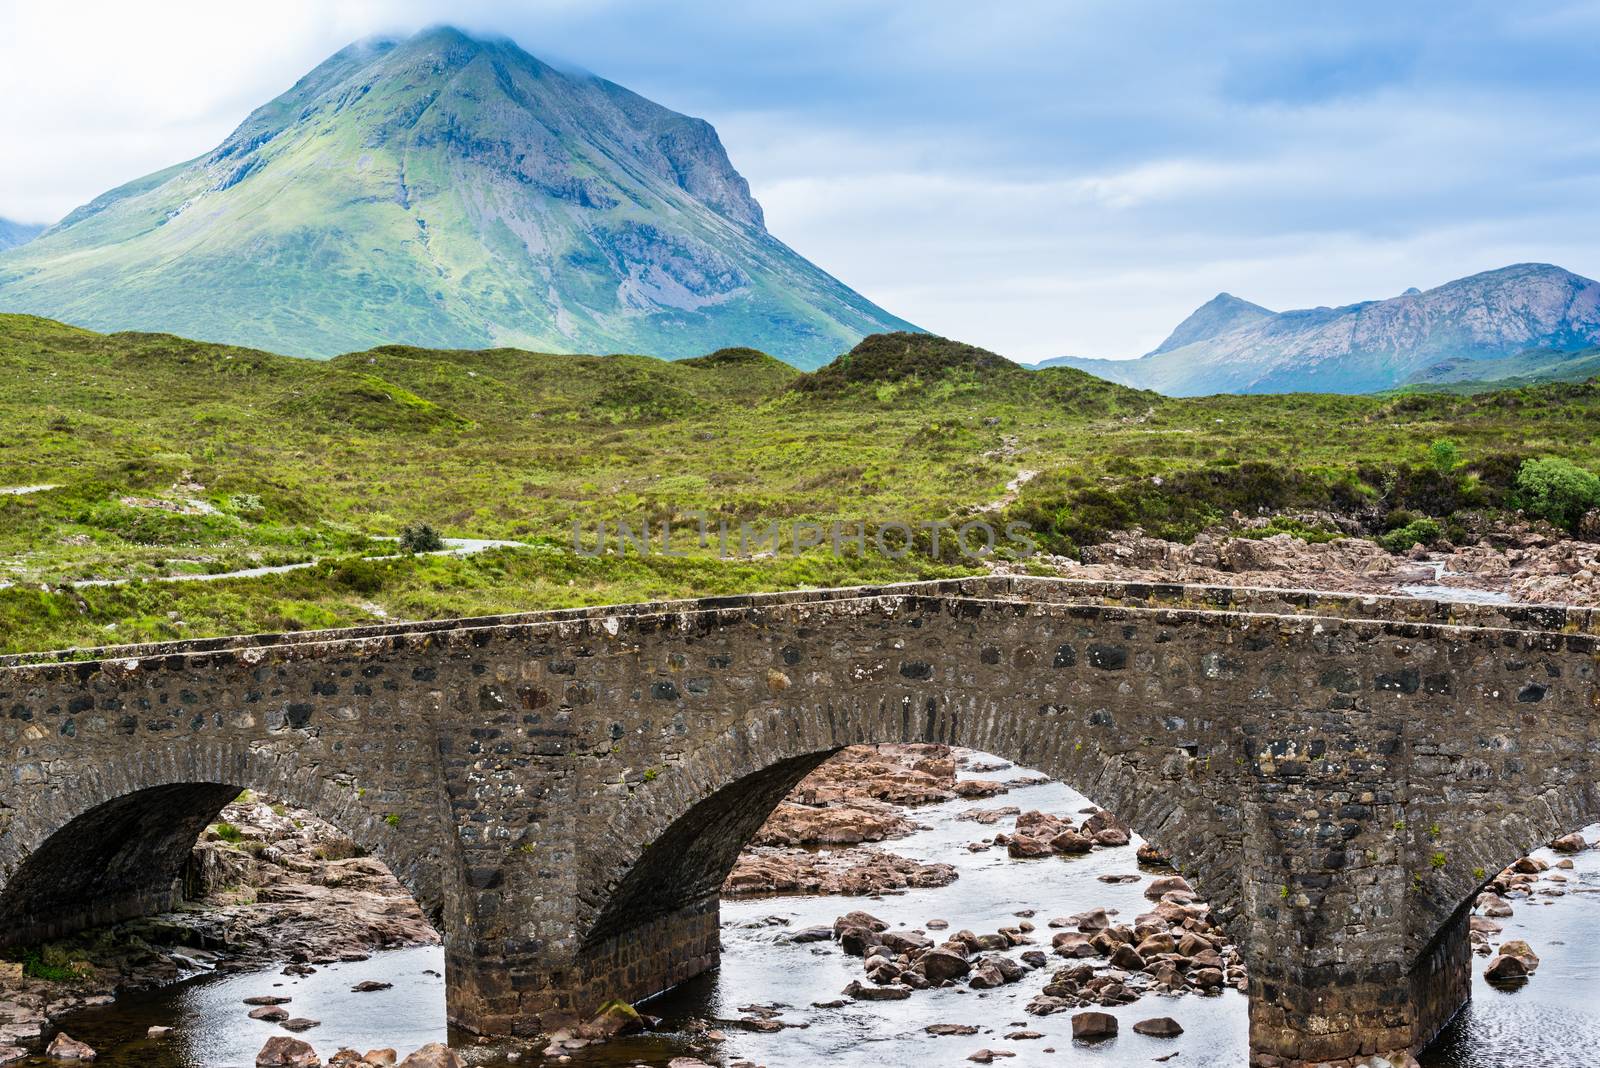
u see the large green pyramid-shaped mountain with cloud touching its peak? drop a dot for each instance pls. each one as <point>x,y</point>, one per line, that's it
<point>450,193</point>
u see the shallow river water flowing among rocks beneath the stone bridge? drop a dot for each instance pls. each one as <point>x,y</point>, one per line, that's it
<point>1554,1021</point>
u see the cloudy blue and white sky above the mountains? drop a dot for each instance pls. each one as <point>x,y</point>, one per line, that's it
<point>1036,177</point>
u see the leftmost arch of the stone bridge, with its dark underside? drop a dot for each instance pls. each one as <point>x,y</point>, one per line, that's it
<point>113,842</point>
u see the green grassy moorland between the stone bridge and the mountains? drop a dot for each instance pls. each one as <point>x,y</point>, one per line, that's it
<point>177,458</point>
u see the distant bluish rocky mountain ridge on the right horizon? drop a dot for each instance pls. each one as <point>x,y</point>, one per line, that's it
<point>1417,338</point>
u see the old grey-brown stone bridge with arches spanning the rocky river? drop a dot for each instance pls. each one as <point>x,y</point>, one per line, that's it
<point>566,792</point>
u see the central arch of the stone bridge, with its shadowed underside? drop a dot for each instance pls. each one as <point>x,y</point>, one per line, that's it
<point>674,848</point>
